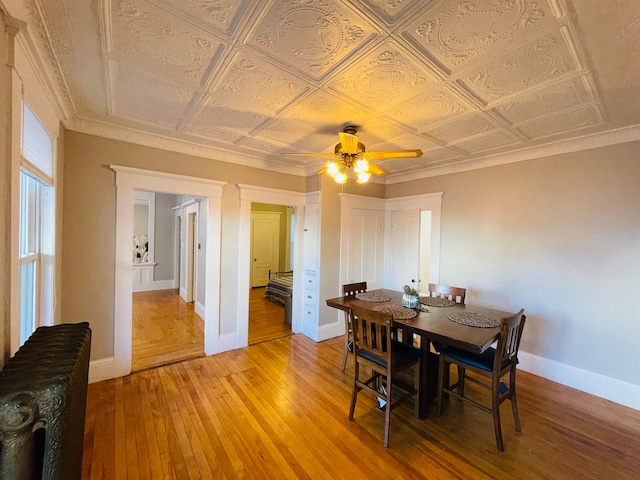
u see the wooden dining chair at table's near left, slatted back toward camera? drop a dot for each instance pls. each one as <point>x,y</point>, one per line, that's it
<point>374,348</point>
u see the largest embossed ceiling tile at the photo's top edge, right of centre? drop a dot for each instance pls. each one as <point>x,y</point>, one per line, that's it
<point>457,31</point>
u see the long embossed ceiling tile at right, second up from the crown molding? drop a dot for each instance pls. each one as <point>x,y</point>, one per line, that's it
<point>545,101</point>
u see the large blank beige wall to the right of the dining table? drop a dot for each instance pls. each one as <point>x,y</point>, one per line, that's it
<point>559,236</point>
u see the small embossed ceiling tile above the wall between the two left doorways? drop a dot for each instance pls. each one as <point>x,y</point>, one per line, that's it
<point>227,117</point>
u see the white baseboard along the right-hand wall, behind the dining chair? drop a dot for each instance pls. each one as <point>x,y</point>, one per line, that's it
<point>609,388</point>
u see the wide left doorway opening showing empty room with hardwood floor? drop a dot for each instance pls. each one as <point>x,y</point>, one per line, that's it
<point>167,324</point>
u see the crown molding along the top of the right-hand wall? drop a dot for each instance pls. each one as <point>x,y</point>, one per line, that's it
<point>586,142</point>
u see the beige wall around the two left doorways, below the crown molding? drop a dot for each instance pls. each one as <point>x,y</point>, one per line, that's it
<point>89,213</point>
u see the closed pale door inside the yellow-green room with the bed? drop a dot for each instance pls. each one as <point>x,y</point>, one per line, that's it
<point>265,246</point>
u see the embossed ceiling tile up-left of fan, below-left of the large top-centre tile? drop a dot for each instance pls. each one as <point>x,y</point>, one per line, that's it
<point>255,85</point>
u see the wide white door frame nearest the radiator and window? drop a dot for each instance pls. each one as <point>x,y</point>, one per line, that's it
<point>130,179</point>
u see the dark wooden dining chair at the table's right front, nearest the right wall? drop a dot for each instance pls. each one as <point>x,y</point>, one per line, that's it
<point>493,364</point>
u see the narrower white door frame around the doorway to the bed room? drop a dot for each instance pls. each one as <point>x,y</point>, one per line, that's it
<point>248,195</point>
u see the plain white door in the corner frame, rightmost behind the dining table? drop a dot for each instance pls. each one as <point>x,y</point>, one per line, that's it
<point>404,249</point>
